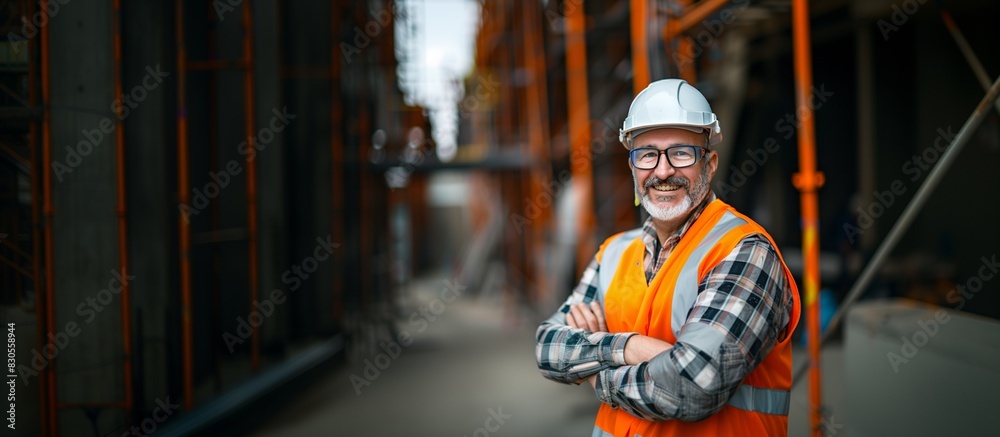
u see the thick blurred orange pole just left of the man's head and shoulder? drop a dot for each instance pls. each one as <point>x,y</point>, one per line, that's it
<point>579,129</point>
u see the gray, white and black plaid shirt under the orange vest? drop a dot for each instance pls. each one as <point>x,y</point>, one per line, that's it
<point>746,302</point>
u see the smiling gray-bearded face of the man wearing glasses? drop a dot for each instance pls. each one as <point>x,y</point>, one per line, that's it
<point>669,194</point>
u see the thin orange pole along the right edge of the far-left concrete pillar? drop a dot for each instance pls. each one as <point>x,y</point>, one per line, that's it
<point>121,211</point>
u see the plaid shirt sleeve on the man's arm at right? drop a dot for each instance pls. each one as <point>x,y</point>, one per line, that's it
<point>742,310</point>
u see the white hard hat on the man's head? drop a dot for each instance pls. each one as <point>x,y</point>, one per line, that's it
<point>669,103</point>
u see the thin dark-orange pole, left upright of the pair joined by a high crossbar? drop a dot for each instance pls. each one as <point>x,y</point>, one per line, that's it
<point>185,228</point>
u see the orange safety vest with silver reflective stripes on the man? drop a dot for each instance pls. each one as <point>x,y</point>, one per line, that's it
<point>760,405</point>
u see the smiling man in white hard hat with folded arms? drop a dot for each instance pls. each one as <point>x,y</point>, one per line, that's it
<point>682,326</point>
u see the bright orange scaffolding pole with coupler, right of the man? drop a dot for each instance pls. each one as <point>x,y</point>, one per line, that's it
<point>808,181</point>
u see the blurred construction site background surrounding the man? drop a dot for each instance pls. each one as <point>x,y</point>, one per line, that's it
<point>311,217</point>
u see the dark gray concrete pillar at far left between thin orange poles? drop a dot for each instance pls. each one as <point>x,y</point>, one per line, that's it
<point>85,255</point>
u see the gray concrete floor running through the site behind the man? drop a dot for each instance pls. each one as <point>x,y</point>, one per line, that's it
<point>465,372</point>
